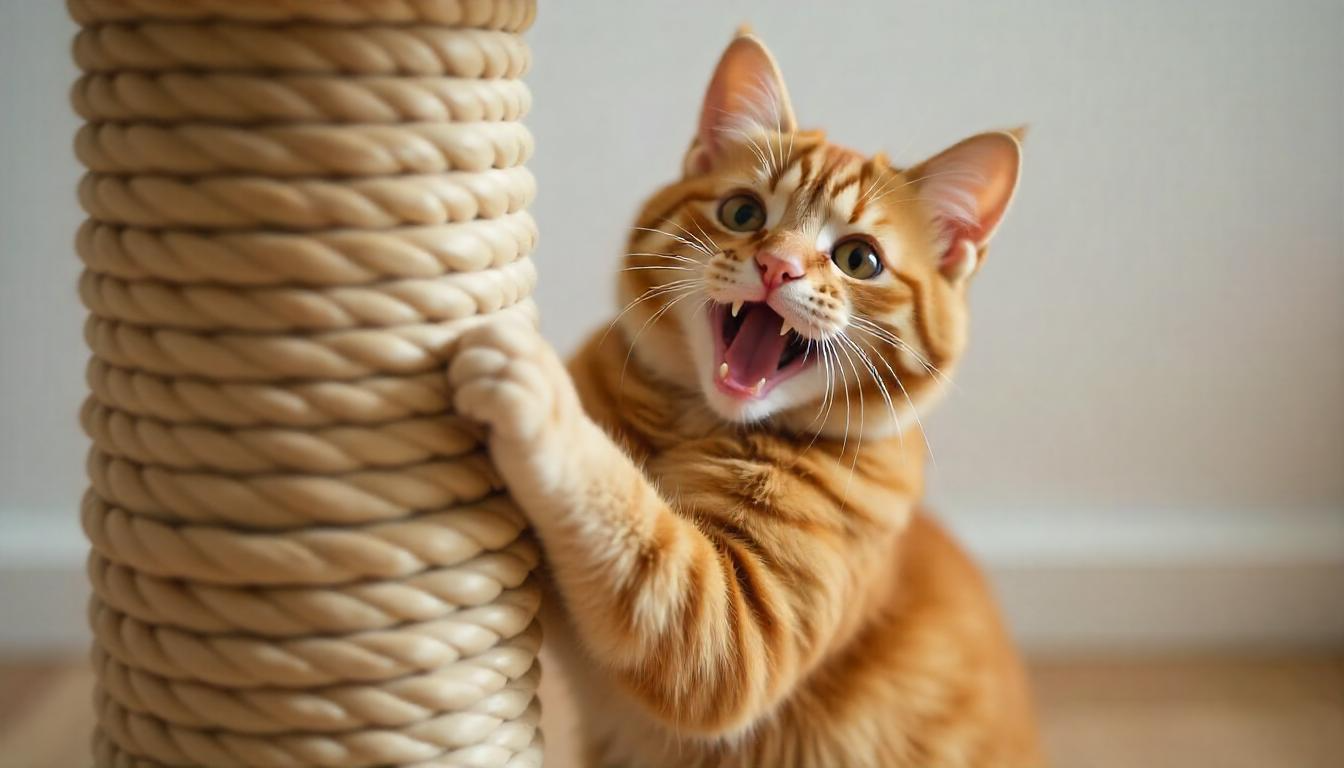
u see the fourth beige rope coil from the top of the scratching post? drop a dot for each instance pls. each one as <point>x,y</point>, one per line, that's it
<point>306,150</point>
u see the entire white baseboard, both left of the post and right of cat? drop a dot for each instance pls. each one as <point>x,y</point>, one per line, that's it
<point>1073,583</point>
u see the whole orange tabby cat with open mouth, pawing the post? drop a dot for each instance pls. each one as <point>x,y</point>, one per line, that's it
<point>728,489</point>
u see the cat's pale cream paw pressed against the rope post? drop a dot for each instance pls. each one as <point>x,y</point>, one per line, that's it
<point>510,379</point>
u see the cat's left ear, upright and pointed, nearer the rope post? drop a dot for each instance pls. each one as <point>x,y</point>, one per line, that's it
<point>747,95</point>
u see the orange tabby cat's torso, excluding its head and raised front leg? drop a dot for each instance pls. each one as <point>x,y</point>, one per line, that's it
<point>917,670</point>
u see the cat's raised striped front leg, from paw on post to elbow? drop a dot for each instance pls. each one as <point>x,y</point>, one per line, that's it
<point>693,622</point>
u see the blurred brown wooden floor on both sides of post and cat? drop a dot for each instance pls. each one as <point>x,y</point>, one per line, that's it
<point>1096,715</point>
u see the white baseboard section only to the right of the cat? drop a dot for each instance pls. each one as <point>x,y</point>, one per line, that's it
<point>1152,580</point>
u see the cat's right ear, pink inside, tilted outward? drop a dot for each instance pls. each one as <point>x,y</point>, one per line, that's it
<point>968,189</point>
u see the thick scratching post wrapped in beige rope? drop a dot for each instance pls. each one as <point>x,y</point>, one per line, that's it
<point>300,556</point>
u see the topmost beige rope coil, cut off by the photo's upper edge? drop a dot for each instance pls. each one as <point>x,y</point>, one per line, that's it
<point>511,15</point>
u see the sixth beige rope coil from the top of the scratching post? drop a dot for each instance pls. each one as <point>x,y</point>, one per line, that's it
<point>341,258</point>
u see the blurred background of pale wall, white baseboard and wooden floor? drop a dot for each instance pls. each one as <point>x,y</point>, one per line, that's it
<point>1146,447</point>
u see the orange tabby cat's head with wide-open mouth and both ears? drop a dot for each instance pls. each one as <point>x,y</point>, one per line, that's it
<point>794,280</point>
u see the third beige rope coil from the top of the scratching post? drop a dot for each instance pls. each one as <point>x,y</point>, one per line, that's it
<point>226,98</point>
